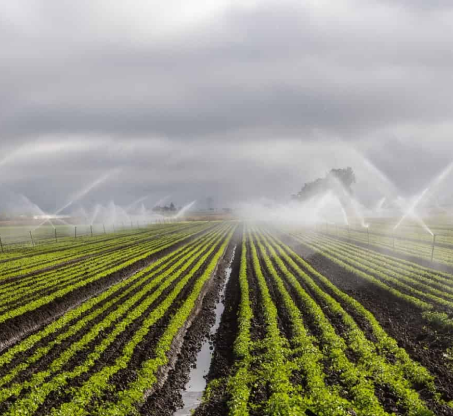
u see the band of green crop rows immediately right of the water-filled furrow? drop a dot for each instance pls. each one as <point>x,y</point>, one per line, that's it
<point>313,333</point>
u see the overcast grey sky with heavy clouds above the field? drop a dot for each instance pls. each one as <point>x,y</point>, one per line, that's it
<point>223,98</point>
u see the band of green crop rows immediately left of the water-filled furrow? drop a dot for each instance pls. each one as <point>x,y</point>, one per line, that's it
<point>77,348</point>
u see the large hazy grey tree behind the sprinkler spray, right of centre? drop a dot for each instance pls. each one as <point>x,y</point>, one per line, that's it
<point>345,177</point>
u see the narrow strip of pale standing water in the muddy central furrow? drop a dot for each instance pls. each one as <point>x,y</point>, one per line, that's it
<point>193,391</point>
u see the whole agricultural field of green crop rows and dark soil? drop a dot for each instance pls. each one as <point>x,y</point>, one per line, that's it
<point>278,320</point>
